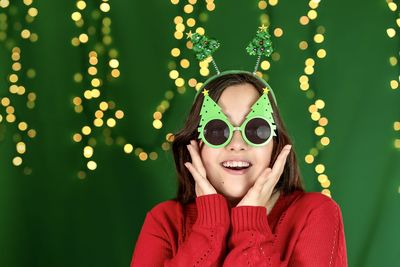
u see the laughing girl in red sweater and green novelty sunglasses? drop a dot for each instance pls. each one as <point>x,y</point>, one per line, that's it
<point>240,200</point>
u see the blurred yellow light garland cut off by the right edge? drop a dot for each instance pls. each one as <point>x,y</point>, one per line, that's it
<point>393,61</point>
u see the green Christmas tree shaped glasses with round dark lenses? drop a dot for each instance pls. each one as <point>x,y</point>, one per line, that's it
<point>257,130</point>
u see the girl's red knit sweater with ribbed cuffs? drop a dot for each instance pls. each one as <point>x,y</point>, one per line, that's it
<point>302,229</point>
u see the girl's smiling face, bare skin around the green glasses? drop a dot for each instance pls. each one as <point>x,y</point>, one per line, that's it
<point>236,102</point>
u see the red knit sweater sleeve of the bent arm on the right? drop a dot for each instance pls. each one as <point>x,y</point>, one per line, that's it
<point>319,243</point>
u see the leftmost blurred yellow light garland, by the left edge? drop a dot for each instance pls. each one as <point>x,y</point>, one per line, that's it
<point>15,32</point>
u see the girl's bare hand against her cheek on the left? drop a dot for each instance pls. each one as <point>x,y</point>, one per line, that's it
<point>196,168</point>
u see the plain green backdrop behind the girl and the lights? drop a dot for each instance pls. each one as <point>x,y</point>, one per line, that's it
<point>53,218</point>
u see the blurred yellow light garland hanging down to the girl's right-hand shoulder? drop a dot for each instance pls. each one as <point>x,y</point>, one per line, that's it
<point>314,47</point>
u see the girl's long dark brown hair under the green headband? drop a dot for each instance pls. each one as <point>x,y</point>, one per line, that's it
<point>291,178</point>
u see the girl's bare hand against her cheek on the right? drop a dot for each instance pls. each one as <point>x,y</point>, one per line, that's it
<point>260,193</point>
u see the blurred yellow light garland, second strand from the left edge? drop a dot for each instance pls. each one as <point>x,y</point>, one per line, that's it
<point>101,69</point>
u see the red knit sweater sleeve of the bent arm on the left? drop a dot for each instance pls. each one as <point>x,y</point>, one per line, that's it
<point>205,245</point>
